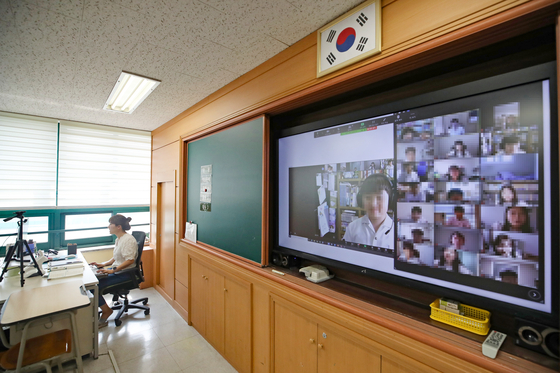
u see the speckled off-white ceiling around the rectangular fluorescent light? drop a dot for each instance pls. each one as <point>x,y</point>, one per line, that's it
<point>61,58</point>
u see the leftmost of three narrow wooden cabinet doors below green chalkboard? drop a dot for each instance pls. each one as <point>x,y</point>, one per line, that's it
<point>197,303</point>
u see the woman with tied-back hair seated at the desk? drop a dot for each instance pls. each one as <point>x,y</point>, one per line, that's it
<point>124,256</point>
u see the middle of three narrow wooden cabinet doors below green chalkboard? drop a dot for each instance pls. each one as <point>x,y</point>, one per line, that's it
<point>215,310</point>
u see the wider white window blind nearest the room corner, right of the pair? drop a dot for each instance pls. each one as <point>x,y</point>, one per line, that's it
<point>101,166</point>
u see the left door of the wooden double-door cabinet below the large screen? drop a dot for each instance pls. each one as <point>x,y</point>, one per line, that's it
<point>295,341</point>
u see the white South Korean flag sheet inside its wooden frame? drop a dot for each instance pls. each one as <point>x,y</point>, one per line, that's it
<point>353,36</point>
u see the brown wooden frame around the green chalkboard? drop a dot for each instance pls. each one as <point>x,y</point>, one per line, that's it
<point>190,138</point>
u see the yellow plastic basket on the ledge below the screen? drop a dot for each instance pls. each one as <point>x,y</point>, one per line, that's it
<point>474,320</point>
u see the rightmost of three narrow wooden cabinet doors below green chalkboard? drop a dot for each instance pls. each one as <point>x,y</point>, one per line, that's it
<point>238,332</point>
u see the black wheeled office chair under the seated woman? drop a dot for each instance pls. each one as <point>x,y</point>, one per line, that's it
<point>121,290</point>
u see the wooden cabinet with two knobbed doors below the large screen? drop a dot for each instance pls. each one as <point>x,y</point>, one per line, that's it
<point>303,344</point>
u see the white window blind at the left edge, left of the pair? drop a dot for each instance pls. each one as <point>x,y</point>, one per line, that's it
<point>28,147</point>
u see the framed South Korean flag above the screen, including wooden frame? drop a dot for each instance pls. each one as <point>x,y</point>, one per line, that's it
<point>349,38</point>
